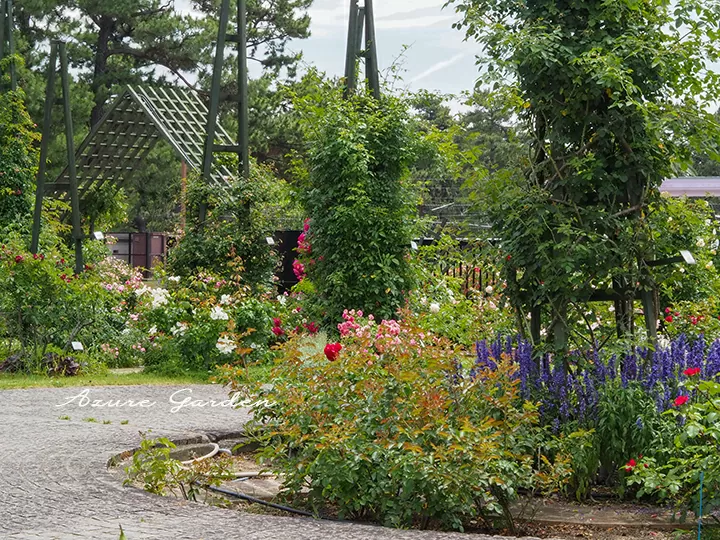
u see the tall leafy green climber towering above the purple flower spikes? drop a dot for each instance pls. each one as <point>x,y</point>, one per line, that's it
<point>614,96</point>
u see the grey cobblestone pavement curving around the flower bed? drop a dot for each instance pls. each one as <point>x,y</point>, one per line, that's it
<point>54,483</point>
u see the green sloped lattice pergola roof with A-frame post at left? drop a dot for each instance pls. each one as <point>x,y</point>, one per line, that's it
<point>116,146</point>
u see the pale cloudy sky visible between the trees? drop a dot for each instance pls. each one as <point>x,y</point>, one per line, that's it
<point>437,58</point>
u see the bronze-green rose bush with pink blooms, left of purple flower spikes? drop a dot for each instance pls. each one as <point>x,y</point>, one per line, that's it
<point>387,425</point>
